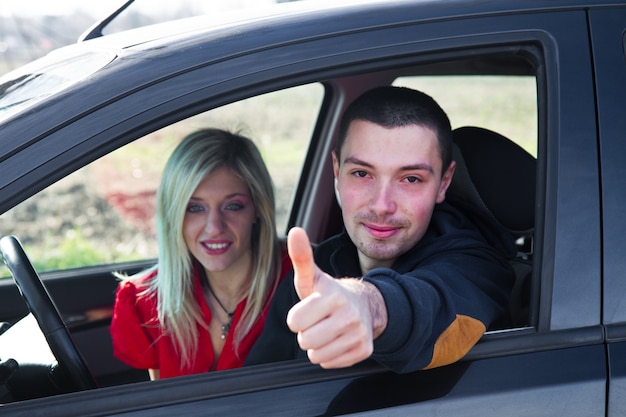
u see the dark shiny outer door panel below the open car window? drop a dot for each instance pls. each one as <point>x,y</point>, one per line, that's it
<point>479,388</point>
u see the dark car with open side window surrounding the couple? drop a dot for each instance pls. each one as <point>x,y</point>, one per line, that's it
<point>86,129</point>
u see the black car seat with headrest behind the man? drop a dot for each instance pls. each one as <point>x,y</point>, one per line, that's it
<point>499,176</point>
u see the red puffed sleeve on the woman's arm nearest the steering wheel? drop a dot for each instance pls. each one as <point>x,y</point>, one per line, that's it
<point>132,342</point>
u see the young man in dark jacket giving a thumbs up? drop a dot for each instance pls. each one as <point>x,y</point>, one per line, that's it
<point>419,282</point>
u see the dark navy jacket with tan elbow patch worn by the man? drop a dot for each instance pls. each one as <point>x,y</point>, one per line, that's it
<point>441,295</point>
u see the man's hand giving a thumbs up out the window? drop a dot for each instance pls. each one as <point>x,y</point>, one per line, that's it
<point>334,319</point>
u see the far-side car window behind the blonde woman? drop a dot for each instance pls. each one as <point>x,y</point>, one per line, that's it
<point>104,212</point>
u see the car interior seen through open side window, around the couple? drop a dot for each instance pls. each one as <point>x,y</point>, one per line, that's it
<point>496,156</point>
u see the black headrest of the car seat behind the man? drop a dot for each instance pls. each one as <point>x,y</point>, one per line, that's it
<point>496,174</point>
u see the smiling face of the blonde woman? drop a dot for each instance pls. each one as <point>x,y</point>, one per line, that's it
<point>218,223</point>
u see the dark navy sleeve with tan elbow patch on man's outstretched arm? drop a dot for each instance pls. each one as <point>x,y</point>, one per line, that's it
<point>440,309</point>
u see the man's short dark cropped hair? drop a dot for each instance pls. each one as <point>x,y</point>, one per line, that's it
<point>392,107</point>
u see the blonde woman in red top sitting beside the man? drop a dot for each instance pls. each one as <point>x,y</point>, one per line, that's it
<point>202,307</point>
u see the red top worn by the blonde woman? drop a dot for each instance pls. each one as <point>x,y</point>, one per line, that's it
<point>138,339</point>
